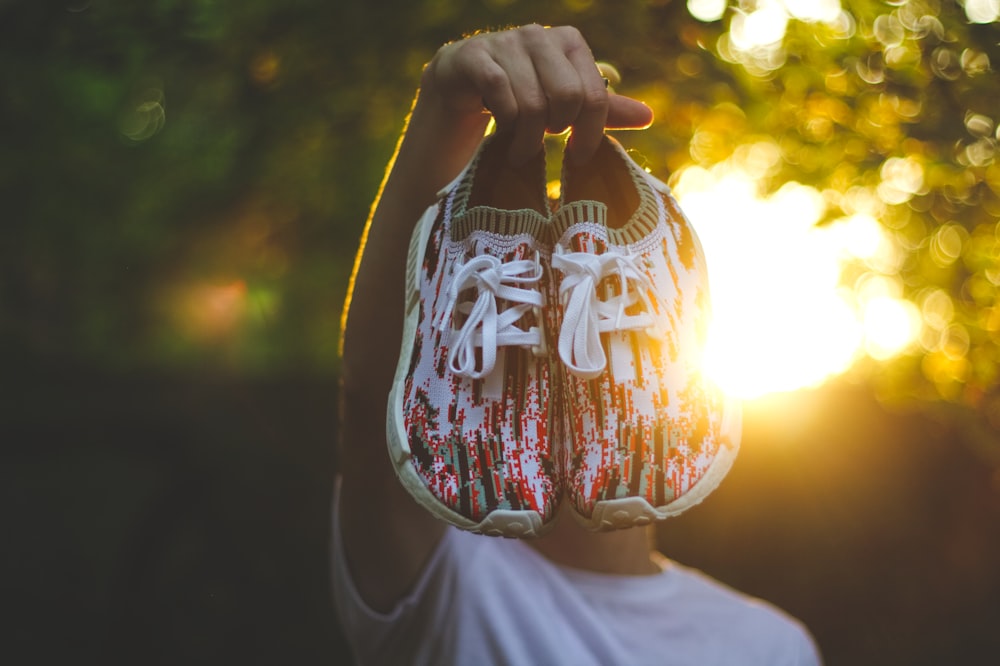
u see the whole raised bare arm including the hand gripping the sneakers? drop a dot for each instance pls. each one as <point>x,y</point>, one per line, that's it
<point>533,80</point>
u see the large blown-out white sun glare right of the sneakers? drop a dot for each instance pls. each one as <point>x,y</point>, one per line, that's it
<point>783,317</point>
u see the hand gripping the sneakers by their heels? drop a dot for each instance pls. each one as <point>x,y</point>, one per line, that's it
<point>534,80</point>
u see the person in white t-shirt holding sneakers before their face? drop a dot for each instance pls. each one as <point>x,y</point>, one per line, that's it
<point>408,587</point>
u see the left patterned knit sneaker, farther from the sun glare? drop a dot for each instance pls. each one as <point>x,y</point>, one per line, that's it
<point>469,408</point>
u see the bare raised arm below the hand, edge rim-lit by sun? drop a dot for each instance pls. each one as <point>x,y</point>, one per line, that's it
<point>387,535</point>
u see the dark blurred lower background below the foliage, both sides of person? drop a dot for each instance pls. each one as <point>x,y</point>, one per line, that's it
<point>160,520</point>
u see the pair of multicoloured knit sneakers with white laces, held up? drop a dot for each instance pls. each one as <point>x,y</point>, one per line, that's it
<point>555,356</point>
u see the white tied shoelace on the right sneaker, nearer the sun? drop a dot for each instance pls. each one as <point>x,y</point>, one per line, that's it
<point>586,316</point>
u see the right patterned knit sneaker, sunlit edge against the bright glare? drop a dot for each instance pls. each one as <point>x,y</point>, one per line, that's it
<point>649,435</point>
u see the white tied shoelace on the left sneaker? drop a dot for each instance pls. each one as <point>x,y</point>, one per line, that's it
<point>485,327</point>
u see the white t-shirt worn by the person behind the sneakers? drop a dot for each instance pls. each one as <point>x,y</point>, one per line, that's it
<point>487,600</point>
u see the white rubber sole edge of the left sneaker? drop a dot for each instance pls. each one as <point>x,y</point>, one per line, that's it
<point>502,522</point>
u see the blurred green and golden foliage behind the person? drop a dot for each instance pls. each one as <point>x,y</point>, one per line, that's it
<point>185,180</point>
